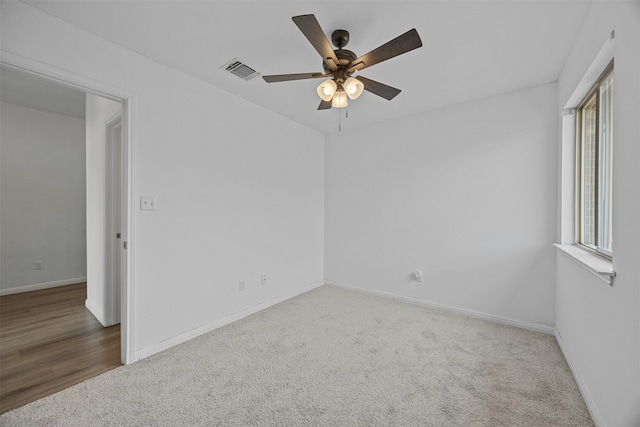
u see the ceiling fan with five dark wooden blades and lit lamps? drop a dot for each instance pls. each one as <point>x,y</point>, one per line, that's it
<point>340,64</point>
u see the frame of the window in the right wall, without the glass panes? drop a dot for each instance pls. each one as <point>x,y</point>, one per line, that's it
<point>594,92</point>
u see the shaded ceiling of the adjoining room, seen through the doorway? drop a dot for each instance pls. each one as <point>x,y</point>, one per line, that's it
<point>34,92</point>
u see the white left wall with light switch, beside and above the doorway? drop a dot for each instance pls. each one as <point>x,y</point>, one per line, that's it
<point>237,196</point>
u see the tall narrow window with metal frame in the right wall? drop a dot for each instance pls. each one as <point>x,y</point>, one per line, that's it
<point>594,166</point>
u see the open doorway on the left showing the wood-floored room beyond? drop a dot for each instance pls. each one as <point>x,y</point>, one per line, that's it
<point>49,337</point>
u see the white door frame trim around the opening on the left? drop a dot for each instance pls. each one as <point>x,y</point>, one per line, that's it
<point>19,63</point>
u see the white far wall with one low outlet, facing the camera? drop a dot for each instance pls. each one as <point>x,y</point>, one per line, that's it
<point>466,194</point>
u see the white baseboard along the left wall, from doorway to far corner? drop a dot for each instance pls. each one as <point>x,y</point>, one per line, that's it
<point>171,342</point>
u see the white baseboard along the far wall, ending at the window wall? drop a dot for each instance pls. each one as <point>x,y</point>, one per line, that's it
<point>471,313</point>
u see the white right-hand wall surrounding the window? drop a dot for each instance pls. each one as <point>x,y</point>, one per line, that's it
<point>600,325</point>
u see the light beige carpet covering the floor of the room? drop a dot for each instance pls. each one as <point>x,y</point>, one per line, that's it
<point>332,357</point>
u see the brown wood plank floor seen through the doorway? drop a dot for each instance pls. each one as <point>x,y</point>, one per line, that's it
<point>50,341</point>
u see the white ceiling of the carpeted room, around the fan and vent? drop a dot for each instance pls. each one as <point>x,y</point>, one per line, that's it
<point>471,49</point>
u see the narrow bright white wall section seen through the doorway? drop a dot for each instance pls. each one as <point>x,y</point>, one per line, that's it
<point>98,112</point>
